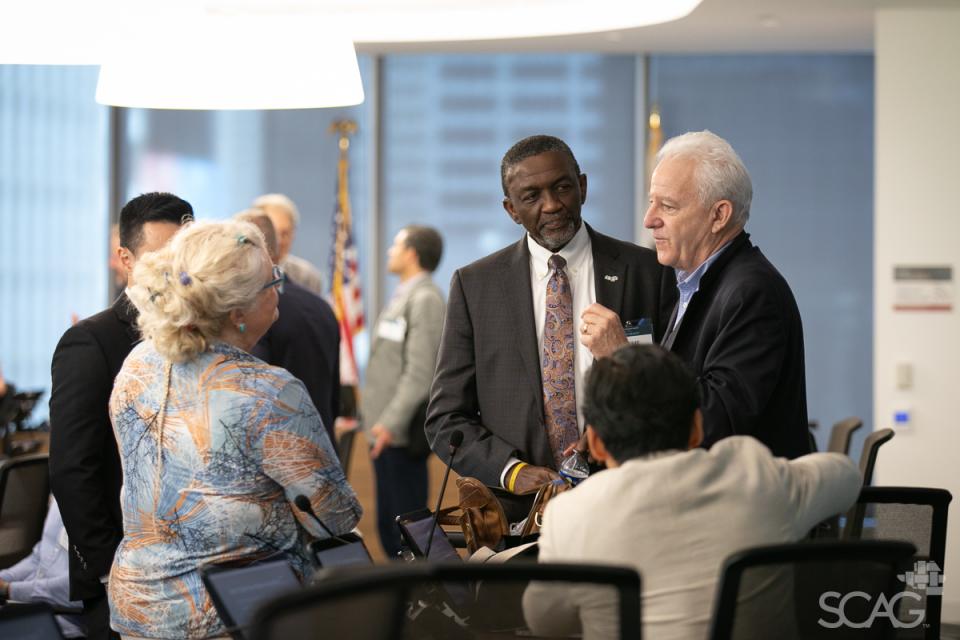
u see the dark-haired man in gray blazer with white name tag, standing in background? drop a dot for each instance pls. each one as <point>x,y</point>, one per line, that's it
<point>402,359</point>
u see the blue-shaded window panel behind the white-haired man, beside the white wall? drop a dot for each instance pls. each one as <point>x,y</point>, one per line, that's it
<point>803,126</point>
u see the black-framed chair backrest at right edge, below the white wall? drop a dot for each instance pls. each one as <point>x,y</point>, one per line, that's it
<point>916,515</point>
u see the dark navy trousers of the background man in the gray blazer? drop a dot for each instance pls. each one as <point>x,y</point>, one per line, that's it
<point>401,488</point>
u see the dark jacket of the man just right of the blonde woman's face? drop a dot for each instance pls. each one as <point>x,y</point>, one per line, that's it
<point>305,340</point>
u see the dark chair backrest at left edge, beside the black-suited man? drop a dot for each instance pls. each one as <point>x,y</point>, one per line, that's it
<point>24,499</point>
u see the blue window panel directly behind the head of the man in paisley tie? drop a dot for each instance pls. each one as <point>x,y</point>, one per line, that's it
<point>448,119</point>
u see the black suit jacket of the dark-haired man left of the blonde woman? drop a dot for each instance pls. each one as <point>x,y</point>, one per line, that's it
<point>85,472</point>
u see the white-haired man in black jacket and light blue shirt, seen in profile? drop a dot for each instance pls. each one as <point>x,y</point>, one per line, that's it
<point>736,324</point>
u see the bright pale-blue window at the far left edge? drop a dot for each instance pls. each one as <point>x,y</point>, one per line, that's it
<point>53,213</point>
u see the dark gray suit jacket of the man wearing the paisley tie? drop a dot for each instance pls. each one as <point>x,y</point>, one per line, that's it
<point>487,383</point>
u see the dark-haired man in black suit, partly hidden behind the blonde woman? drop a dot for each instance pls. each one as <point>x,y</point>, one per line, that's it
<point>85,472</point>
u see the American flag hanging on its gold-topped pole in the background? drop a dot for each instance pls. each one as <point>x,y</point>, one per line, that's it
<point>345,294</point>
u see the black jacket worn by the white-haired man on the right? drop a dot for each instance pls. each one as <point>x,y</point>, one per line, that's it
<point>743,338</point>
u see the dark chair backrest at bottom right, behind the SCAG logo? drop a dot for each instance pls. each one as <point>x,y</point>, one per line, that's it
<point>799,591</point>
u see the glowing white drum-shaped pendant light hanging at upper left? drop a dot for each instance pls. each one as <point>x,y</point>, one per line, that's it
<point>206,60</point>
